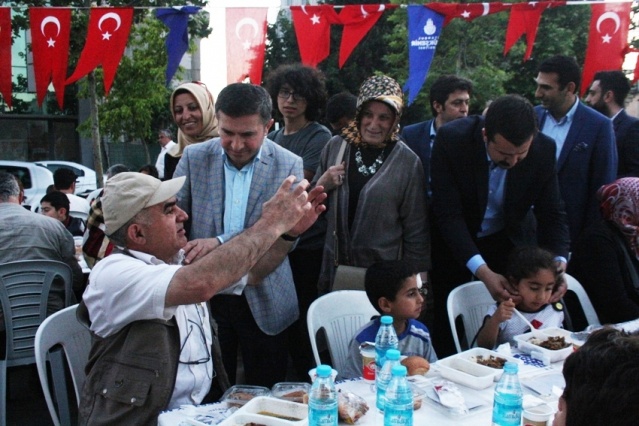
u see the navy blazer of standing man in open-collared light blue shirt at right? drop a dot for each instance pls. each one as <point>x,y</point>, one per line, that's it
<point>587,161</point>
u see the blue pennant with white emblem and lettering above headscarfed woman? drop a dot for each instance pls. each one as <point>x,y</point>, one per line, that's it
<point>424,27</point>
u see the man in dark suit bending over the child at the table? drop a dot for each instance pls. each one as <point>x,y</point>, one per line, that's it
<point>494,187</point>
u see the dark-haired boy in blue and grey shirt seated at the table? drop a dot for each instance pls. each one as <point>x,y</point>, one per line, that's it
<point>393,289</point>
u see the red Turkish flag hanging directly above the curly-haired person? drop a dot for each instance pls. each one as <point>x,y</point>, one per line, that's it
<point>313,31</point>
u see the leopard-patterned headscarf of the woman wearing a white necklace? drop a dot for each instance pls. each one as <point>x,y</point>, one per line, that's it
<point>377,88</point>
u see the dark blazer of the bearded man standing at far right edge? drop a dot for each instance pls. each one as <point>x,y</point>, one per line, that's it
<point>627,136</point>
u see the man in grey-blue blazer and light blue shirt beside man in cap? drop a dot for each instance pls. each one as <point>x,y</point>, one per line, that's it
<point>227,181</point>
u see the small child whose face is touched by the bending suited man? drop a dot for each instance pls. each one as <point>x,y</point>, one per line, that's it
<point>533,272</point>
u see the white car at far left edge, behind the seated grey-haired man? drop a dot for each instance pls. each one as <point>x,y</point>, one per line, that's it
<point>34,178</point>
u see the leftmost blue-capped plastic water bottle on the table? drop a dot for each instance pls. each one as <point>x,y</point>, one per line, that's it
<point>322,401</point>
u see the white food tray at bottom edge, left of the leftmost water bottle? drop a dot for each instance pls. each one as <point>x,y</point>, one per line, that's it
<point>251,412</point>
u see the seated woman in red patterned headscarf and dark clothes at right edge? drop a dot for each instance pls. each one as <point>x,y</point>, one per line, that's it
<point>605,260</point>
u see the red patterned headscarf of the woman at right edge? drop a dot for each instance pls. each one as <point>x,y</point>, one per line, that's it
<point>620,205</point>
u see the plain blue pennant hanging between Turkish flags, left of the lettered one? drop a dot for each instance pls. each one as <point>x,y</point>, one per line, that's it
<point>177,41</point>
